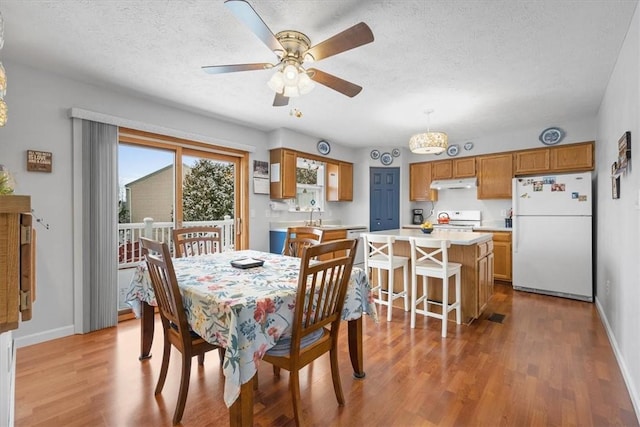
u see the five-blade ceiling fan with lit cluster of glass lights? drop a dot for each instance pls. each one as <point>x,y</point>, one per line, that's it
<point>293,49</point>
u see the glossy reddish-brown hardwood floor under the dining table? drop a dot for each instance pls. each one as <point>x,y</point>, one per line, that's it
<point>549,363</point>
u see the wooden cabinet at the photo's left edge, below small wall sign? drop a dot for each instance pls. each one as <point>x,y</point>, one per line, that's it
<point>17,261</point>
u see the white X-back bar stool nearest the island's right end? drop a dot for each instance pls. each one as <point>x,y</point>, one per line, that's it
<point>424,262</point>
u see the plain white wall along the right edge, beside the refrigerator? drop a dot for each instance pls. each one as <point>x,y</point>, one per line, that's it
<point>618,231</point>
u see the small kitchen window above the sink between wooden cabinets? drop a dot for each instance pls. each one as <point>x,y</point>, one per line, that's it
<point>310,189</point>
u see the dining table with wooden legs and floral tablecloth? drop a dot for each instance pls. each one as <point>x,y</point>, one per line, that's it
<point>245,311</point>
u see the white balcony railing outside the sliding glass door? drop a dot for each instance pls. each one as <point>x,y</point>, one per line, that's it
<point>130,253</point>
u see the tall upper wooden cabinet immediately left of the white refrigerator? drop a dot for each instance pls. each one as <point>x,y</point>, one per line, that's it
<point>495,173</point>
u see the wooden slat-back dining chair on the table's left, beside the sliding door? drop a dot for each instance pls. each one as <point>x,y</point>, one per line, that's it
<point>177,332</point>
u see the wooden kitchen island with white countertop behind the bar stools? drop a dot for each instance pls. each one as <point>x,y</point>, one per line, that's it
<point>473,250</point>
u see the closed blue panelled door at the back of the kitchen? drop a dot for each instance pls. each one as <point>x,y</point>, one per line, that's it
<point>384,202</point>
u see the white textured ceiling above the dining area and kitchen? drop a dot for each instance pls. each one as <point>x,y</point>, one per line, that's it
<point>483,66</point>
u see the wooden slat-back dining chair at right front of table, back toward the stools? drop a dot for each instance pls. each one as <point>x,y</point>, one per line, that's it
<point>322,286</point>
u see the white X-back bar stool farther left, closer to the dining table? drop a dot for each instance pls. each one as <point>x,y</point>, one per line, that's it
<point>379,255</point>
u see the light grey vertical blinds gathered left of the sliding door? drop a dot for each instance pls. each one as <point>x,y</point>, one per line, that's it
<point>100,225</point>
